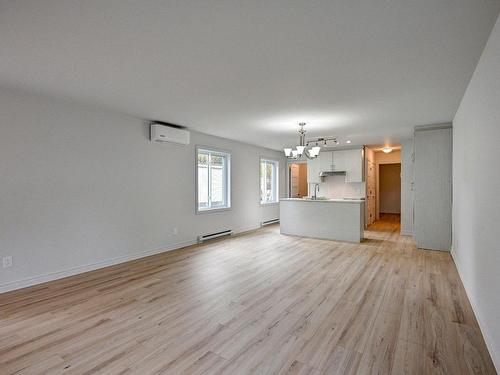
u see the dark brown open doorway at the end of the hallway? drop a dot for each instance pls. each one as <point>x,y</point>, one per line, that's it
<point>390,189</point>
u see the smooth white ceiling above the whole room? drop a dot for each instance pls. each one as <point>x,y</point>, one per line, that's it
<point>365,70</point>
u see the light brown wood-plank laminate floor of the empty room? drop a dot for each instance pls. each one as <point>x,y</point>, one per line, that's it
<point>260,303</point>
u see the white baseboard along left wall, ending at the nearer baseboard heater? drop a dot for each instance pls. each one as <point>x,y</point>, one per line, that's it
<point>23,283</point>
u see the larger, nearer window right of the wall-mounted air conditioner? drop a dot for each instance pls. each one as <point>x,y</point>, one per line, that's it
<point>213,175</point>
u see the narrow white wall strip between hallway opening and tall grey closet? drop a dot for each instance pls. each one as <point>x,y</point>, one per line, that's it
<point>407,187</point>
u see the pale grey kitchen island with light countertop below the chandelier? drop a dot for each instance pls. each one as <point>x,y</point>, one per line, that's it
<point>331,219</point>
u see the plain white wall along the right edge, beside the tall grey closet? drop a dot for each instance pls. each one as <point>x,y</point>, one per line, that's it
<point>476,188</point>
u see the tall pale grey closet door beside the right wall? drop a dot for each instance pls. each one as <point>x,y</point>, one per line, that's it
<point>433,189</point>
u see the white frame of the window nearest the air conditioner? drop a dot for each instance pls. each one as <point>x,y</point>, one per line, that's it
<point>227,174</point>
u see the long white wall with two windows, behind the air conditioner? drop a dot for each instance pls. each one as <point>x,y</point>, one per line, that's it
<point>81,188</point>
